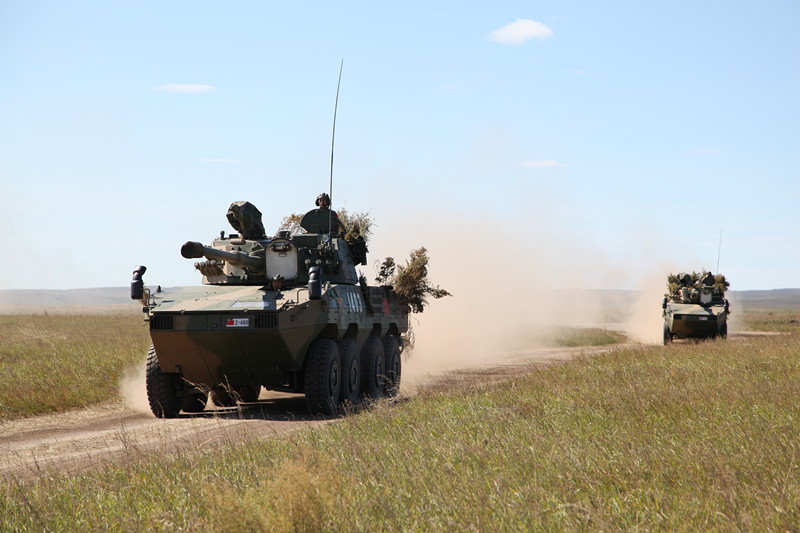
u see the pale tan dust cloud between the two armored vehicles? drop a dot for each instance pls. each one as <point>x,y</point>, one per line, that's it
<point>509,288</point>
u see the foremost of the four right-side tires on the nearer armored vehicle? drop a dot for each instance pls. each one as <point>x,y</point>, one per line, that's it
<point>323,377</point>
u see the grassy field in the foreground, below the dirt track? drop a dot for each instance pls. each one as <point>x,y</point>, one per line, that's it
<point>693,436</point>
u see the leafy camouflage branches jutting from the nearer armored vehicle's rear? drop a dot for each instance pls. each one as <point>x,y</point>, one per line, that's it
<point>410,282</point>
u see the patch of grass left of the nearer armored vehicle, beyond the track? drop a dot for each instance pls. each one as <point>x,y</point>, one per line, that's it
<point>58,362</point>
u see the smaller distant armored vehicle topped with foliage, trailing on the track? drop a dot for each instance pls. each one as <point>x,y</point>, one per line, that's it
<point>695,306</point>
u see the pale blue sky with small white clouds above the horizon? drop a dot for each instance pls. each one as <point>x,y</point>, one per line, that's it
<point>574,144</point>
